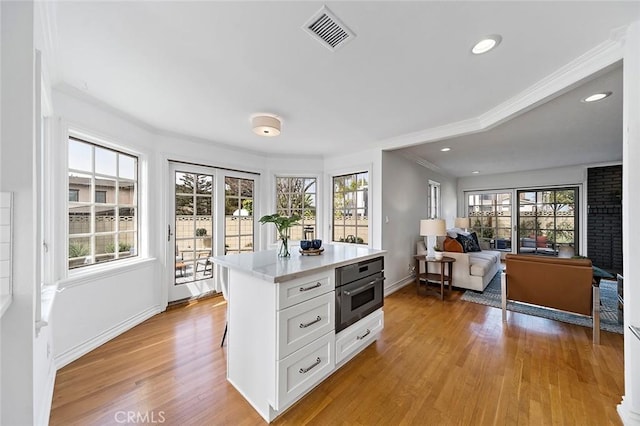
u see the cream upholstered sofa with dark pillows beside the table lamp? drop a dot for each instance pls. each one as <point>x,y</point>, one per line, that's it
<point>472,271</point>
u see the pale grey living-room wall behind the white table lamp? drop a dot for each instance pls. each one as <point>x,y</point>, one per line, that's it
<point>405,189</point>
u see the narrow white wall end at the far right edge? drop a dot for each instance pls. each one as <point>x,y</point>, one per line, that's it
<point>629,409</point>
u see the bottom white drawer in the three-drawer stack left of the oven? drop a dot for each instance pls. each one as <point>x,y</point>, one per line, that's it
<point>304,369</point>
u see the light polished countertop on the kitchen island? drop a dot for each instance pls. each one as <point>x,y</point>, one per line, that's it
<point>269,267</point>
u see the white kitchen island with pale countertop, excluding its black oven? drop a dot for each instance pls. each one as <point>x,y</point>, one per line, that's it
<point>281,320</point>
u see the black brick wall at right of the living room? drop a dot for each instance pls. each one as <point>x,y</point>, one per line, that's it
<point>604,217</point>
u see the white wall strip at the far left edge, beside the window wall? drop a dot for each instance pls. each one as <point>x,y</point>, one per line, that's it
<point>17,328</point>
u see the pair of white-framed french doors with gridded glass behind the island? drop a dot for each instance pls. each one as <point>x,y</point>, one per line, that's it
<point>210,213</point>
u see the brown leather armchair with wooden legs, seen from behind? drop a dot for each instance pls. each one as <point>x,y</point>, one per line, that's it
<point>564,284</point>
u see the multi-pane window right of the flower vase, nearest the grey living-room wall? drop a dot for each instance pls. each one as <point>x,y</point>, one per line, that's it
<point>351,208</point>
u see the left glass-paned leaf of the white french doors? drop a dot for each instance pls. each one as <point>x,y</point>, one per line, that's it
<point>193,230</point>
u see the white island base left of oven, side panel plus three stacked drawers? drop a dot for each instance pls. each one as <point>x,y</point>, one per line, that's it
<point>281,338</point>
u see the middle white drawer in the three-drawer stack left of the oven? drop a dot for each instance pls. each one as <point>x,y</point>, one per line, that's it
<point>303,323</point>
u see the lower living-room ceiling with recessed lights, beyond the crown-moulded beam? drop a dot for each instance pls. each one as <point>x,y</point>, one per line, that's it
<point>561,132</point>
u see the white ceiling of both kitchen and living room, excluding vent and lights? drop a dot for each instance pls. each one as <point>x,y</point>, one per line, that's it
<point>201,69</point>
